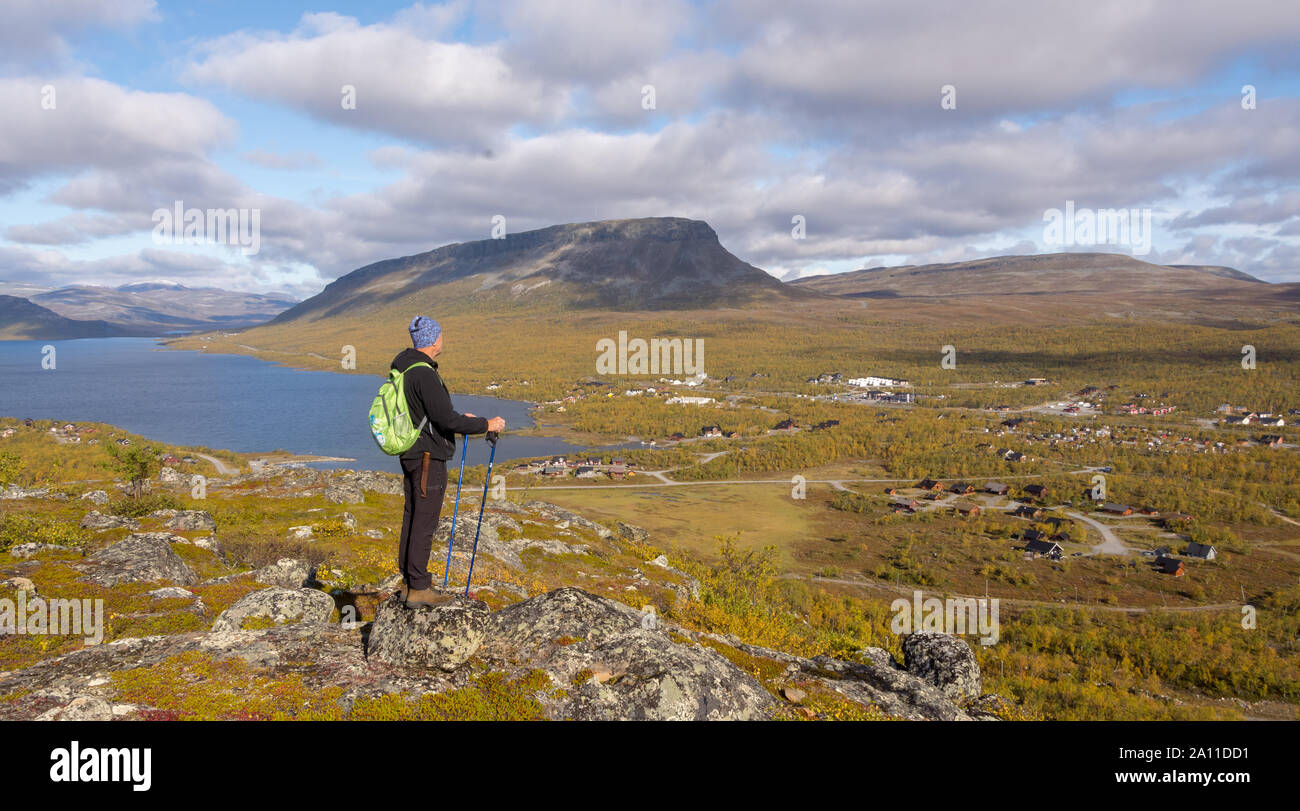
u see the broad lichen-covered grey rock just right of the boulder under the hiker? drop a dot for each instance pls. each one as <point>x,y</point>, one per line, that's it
<point>616,662</point>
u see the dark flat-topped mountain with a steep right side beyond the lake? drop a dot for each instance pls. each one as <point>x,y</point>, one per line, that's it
<point>658,263</point>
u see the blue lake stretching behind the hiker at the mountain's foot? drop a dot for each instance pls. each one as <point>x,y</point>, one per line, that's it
<point>226,401</point>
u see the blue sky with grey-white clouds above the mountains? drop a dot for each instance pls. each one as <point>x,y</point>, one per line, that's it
<point>900,133</point>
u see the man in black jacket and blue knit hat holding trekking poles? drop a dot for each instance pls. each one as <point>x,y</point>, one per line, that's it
<point>424,467</point>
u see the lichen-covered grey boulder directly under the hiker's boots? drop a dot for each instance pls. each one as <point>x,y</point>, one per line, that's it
<point>441,637</point>
